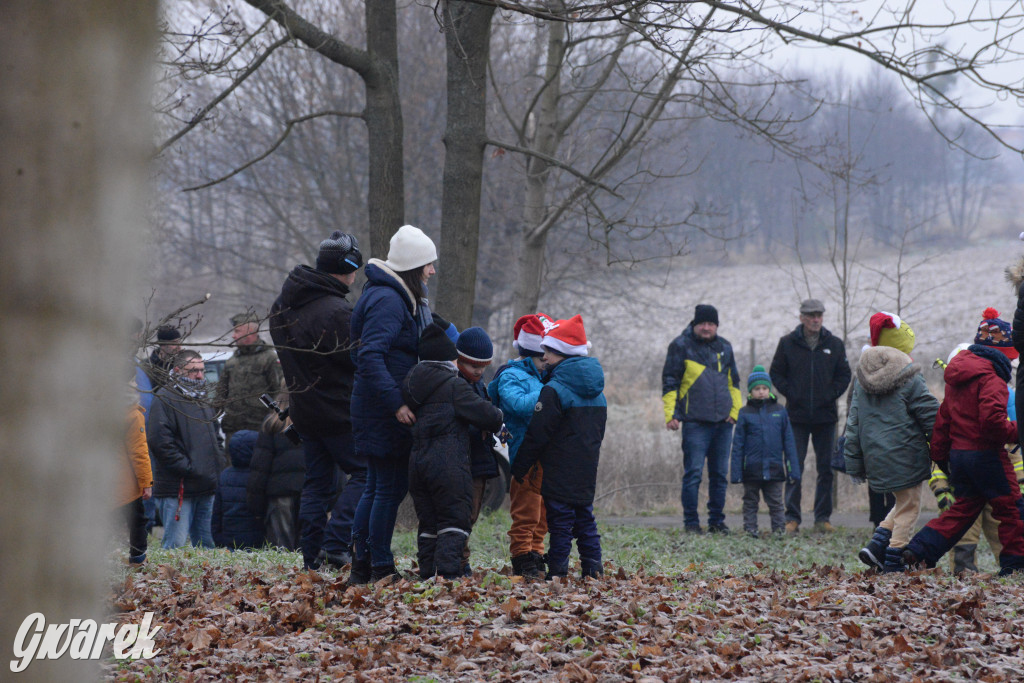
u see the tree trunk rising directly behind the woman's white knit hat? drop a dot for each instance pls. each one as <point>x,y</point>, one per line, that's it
<point>385,127</point>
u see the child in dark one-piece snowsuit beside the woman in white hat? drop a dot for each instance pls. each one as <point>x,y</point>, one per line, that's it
<point>441,481</point>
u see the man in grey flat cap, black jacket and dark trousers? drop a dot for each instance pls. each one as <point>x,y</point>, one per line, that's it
<point>812,371</point>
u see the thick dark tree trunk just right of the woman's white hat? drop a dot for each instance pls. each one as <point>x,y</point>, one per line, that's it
<point>467,38</point>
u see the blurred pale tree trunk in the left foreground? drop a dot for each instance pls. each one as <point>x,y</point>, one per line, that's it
<point>73,78</point>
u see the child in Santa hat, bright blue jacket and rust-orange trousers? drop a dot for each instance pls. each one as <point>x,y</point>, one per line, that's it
<point>516,390</point>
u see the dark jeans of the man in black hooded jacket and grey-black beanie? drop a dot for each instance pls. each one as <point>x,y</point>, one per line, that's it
<point>324,456</point>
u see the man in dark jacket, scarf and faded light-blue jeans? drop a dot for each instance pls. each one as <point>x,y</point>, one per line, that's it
<point>182,433</point>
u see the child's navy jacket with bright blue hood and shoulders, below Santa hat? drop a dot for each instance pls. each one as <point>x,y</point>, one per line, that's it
<point>567,432</point>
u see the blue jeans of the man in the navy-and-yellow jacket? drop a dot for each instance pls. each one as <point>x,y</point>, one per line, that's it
<point>706,442</point>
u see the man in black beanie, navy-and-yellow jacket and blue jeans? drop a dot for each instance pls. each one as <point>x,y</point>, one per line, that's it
<point>701,394</point>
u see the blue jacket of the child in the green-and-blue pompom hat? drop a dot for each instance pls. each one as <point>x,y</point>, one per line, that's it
<point>763,446</point>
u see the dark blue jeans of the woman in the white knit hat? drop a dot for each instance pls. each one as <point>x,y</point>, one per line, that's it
<point>388,484</point>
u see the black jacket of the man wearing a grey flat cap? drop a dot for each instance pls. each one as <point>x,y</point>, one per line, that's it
<point>812,381</point>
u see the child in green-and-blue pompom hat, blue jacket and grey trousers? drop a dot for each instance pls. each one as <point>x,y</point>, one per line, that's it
<point>764,454</point>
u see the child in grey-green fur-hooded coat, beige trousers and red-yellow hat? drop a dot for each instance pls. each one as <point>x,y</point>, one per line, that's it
<point>887,434</point>
